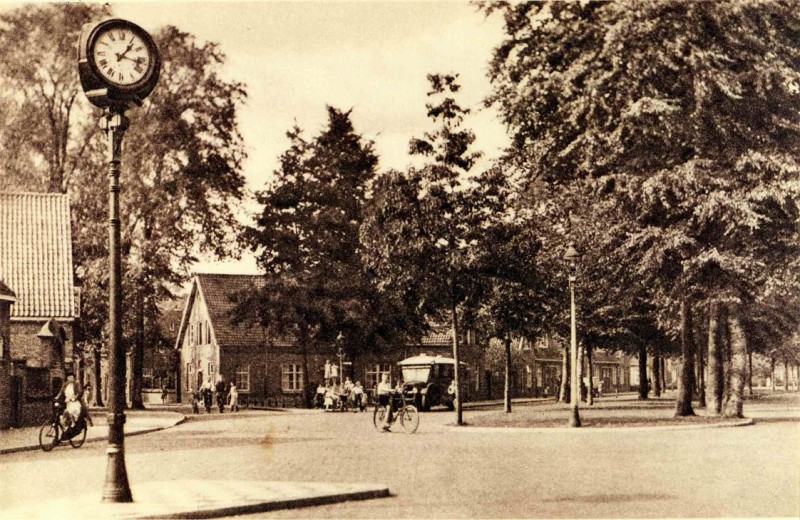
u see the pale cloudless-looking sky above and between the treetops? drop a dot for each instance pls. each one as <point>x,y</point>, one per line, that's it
<point>372,57</point>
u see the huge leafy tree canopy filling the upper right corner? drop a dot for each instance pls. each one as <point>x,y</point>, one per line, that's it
<point>682,113</point>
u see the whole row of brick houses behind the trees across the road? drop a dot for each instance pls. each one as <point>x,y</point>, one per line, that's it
<point>268,370</point>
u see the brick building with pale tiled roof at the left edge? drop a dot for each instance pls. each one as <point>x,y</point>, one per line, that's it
<point>36,265</point>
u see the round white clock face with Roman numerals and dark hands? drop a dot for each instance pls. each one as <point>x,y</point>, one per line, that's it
<point>121,55</point>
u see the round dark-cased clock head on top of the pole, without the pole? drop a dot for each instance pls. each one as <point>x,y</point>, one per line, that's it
<point>118,63</point>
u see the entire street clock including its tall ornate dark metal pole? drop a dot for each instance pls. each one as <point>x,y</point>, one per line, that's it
<point>118,64</point>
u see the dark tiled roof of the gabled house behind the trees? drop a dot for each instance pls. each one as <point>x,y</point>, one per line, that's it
<point>218,290</point>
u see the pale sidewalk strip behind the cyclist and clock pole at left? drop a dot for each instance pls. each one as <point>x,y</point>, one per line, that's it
<point>137,423</point>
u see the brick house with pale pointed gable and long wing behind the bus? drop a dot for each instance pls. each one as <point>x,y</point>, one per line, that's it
<point>268,370</point>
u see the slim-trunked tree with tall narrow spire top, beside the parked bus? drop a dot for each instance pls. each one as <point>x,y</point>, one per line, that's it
<point>424,232</point>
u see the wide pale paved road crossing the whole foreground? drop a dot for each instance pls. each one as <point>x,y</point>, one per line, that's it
<point>742,472</point>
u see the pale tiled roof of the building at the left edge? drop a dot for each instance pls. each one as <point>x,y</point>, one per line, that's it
<point>36,254</point>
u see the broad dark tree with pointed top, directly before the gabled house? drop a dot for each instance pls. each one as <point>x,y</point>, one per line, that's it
<point>307,239</point>
